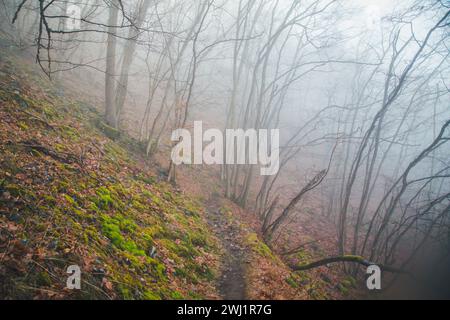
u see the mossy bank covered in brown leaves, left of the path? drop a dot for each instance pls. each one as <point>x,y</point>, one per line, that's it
<point>71,195</point>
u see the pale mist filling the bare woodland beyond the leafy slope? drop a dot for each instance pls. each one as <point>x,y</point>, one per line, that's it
<point>359,91</point>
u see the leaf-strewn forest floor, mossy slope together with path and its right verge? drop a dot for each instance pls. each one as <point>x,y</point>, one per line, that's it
<point>73,191</point>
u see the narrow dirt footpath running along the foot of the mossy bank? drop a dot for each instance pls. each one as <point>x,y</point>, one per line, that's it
<point>232,280</point>
